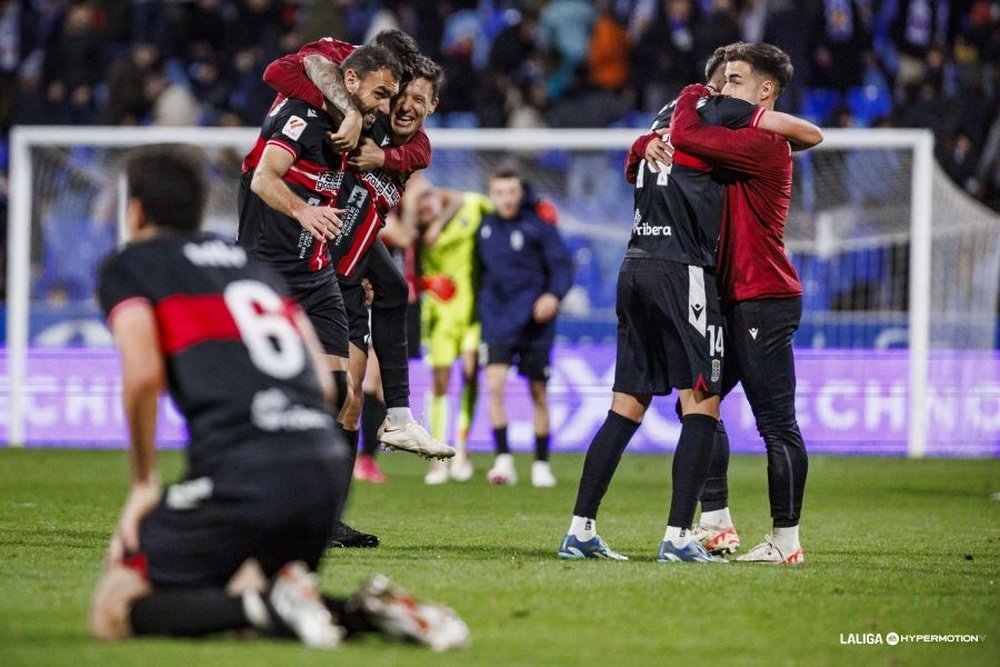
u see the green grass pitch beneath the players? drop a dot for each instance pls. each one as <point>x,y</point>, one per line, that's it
<point>891,546</point>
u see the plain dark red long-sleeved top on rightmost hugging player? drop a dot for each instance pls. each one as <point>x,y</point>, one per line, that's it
<point>752,262</point>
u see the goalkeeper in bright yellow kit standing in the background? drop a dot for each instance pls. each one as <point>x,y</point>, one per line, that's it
<point>450,221</point>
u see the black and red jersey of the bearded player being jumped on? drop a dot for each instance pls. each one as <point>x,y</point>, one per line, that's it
<point>315,176</point>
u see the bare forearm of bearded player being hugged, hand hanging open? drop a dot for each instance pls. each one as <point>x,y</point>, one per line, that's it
<point>268,184</point>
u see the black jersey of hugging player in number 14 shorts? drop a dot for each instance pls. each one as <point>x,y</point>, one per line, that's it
<point>678,208</point>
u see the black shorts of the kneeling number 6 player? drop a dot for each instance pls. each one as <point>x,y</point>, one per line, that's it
<point>205,528</point>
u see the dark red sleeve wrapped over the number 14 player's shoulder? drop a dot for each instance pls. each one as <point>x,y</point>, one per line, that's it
<point>747,151</point>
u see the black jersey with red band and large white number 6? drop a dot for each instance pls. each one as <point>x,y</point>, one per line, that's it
<point>237,367</point>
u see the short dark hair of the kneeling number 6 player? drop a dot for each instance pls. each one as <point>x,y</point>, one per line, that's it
<point>169,180</point>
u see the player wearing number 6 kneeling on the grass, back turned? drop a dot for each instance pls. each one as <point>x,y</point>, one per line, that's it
<point>235,545</point>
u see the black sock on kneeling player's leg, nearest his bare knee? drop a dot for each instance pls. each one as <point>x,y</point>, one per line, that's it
<point>187,613</point>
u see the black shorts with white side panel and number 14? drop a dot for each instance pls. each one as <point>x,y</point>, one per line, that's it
<point>670,329</point>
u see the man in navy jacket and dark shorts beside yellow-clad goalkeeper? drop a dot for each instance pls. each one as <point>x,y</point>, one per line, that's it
<point>525,271</point>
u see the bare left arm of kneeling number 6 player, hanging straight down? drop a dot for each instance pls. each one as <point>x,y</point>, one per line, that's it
<point>133,324</point>
